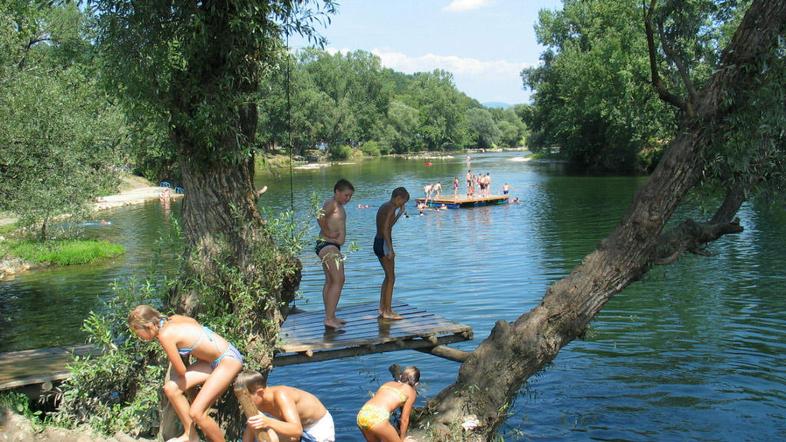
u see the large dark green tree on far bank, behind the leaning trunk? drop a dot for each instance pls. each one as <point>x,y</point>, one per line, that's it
<point>591,95</point>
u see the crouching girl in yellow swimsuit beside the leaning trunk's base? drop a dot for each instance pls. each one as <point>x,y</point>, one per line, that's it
<point>373,418</point>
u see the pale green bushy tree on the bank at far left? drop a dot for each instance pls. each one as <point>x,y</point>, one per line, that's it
<point>59,136</point>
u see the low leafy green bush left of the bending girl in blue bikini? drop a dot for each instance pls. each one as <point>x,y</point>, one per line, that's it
<point>120,389</point>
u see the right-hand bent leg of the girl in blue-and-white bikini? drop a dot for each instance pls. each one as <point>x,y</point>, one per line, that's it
<point>214,386</point>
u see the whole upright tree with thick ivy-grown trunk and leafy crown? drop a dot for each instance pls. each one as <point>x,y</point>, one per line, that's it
<point>197,66</point>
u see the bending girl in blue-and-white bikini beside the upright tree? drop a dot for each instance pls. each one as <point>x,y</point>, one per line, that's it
<point>217,362</point>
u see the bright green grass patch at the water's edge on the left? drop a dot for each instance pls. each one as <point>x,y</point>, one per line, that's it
<point>65,252</point>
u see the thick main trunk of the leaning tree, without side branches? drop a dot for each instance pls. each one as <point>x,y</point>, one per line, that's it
<point>490,378</point>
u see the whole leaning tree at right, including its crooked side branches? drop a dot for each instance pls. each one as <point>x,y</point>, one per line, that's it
<point>747,69</point>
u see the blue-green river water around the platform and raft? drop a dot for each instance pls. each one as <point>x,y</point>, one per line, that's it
<point>692,352</point>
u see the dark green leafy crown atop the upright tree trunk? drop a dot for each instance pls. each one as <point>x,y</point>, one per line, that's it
<point>165,61</point>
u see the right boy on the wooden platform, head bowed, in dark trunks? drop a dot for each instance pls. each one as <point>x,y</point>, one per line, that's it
<point>383,248</point>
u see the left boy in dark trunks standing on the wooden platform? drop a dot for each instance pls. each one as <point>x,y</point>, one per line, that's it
<point>332,221</point>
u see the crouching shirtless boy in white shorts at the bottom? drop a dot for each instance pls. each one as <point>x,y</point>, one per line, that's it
<point>293,414</point>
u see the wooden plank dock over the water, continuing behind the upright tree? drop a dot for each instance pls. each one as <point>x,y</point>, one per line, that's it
<point>304,340</point>
